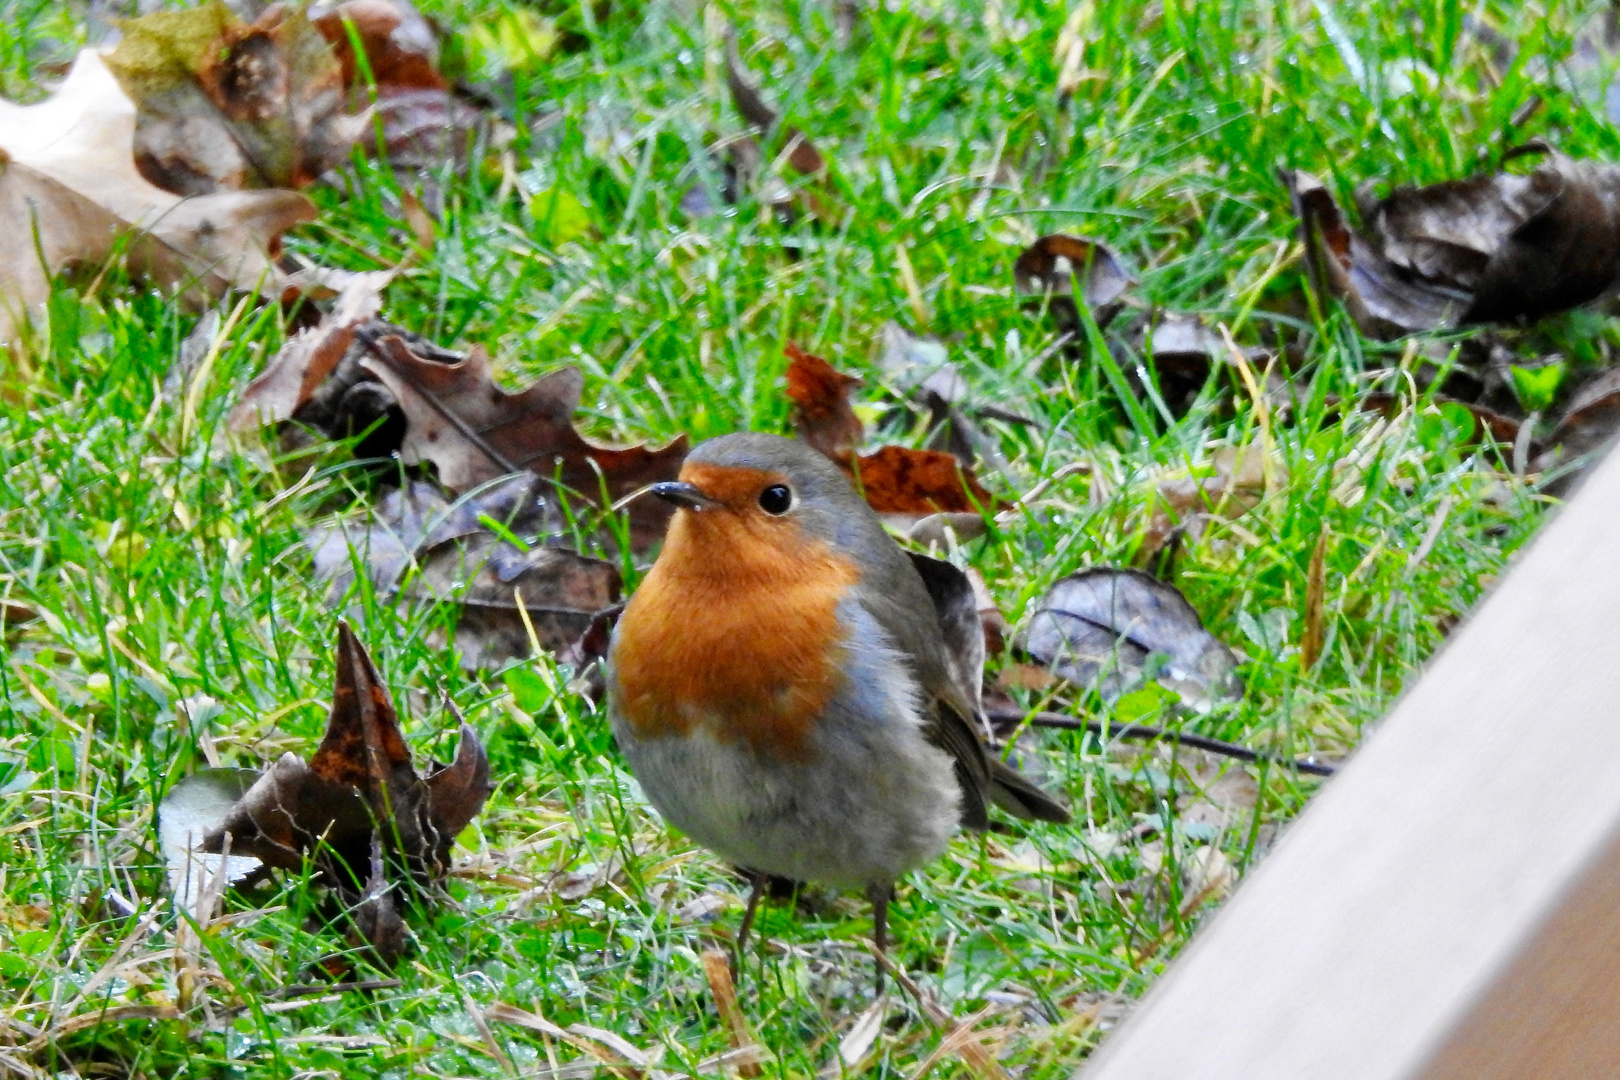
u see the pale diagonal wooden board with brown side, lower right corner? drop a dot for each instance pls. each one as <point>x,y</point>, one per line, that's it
<point>1449,906</point>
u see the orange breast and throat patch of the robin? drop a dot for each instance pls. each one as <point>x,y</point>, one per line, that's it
<point>735,631</point>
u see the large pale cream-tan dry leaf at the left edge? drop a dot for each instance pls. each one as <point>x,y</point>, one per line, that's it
<point>70,193</point>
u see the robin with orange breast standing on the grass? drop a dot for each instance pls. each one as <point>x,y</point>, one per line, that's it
<point>782,689</point>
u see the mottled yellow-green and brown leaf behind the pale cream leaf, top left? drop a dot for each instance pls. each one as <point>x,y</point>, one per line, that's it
<point>228,104</point>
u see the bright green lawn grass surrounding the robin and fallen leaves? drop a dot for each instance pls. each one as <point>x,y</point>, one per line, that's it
<point>169,569</point>
